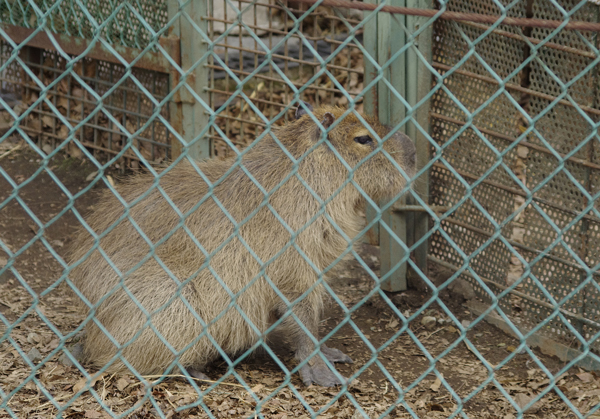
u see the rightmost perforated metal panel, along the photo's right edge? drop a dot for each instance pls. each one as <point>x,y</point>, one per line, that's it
<point>566,129</point>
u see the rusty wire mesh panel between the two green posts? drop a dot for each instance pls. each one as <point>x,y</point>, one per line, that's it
<point>274,32</point>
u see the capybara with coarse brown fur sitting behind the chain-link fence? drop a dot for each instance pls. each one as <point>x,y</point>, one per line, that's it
<point>117,298</point>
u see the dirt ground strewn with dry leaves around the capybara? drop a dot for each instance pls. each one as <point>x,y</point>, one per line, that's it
<point>39,306</point>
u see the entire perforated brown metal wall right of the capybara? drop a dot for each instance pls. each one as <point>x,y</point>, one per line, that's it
<point>560,128</point>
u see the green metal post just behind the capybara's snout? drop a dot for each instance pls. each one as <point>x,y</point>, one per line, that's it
<point>385,35</point>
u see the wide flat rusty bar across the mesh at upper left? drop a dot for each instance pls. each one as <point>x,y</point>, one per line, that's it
<point>72,45</point>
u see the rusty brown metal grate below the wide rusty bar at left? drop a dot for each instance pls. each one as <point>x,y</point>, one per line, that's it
<point>121,95</point>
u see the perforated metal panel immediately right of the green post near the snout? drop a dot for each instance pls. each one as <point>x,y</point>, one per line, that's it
<point>465,150</point>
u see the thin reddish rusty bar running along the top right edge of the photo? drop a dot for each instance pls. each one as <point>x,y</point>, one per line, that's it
<point>460,17</point>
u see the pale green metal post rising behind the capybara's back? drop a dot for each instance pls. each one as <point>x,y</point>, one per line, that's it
<point>188,116</point>
